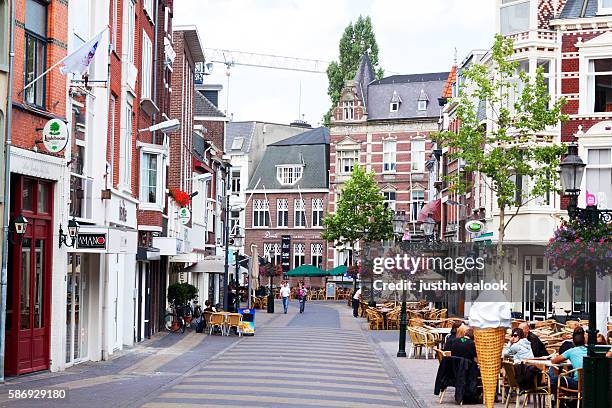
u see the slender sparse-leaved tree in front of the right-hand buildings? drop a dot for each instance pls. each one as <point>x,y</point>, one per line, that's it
<point>518,109</point>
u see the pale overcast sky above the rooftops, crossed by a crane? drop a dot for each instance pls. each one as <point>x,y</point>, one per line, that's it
<point>413,36</point>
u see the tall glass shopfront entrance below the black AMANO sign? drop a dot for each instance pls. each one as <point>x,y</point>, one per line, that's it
<point>77,313</point>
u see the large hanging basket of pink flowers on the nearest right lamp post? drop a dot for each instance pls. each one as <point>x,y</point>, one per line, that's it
<point>578,248</point>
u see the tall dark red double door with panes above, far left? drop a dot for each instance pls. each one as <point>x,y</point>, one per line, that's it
<point>29,302</point>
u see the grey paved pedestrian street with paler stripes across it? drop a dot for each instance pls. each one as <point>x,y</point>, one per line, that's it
<point>322,358</point>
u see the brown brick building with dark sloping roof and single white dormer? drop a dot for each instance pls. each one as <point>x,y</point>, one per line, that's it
<point>288,200</point>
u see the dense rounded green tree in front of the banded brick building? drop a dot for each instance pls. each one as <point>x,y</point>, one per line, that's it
<point>361,214</point>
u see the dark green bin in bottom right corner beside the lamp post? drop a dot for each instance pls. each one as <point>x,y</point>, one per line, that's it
<point>597,379</point>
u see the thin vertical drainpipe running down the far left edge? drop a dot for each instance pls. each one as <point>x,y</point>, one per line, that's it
<point>7,192</point>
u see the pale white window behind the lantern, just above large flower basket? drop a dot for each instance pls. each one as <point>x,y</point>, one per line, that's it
<point>598,176</point>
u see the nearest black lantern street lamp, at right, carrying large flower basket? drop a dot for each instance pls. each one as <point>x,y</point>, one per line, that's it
<point>571,172</point>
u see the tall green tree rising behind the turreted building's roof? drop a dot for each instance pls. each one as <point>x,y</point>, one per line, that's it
<point>356,40</point>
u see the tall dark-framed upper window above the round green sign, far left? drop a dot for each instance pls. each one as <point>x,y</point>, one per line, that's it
<point>35,51</point>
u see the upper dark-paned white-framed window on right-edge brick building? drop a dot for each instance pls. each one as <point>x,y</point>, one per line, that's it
<point>599,85</point>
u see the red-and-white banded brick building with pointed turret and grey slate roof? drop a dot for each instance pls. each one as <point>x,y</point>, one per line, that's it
<point>384,125</point>
